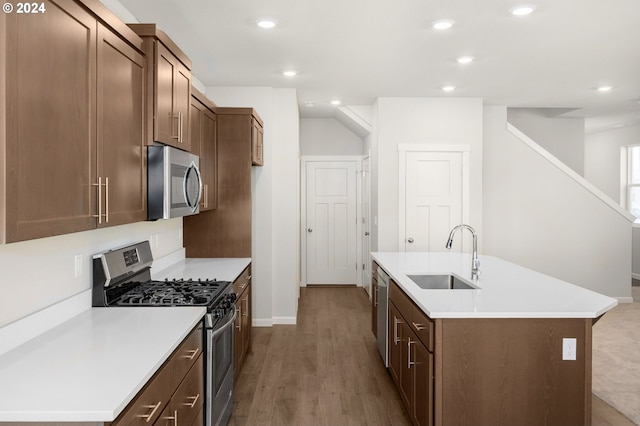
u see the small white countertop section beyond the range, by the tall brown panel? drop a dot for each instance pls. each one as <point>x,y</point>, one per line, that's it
<point>222,269</point>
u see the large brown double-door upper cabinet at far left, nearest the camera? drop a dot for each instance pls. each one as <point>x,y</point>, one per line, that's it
<point>58,106</point>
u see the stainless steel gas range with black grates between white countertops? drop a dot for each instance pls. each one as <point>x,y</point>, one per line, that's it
<point>122,277</point>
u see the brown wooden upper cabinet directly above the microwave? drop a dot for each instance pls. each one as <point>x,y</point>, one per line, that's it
<point>169,88</point>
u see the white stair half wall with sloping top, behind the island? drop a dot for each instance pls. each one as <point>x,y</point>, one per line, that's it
<point>539,217</point>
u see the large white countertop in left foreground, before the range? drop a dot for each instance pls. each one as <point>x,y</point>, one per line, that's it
<point>91,366</point>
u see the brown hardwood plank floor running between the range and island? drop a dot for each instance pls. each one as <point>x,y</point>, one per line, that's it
<point>326,370</point>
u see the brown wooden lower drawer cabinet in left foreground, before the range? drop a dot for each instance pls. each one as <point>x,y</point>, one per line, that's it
<point>175,394</point>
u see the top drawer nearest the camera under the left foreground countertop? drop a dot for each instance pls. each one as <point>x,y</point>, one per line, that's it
<point>150,402</point>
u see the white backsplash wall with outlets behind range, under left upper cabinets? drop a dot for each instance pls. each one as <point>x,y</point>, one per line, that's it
<point>39,273</point>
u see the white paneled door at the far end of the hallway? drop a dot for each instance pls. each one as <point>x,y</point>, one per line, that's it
<point>331,222</point>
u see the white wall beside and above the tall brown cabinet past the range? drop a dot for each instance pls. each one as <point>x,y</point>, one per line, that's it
<point>275,257</point>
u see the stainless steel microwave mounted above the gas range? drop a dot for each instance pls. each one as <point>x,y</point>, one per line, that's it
<point>174,186</point>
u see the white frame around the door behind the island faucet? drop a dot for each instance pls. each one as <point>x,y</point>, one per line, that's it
<point>465,150</point>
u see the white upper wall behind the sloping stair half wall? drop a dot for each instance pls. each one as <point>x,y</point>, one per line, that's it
<point>562,137</point>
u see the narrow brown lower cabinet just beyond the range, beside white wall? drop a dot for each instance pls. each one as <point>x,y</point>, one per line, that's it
<point>242,333</point>
